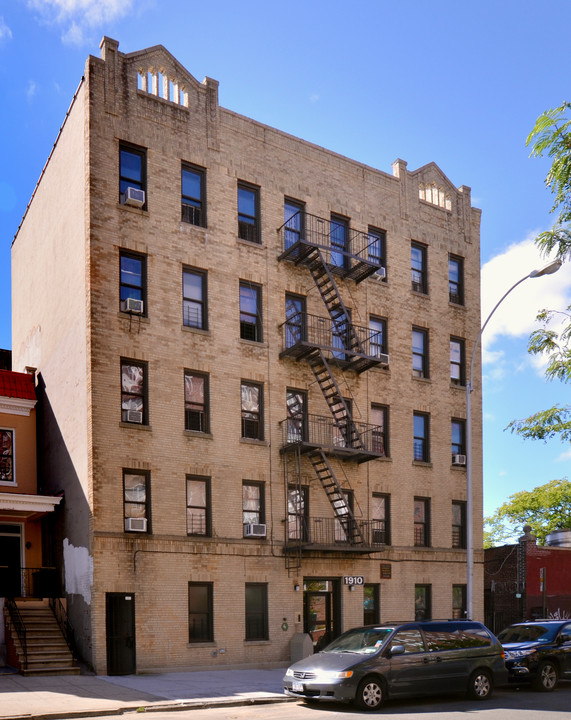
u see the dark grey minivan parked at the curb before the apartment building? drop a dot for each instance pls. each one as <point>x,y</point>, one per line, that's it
<point>367,665</point>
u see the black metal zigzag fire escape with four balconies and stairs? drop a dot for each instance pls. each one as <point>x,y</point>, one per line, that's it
<point>328,251</point>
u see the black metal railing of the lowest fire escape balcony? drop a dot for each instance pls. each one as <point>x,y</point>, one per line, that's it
<point>329,533</point>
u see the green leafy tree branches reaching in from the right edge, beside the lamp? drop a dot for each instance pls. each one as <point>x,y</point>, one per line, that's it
<point>551,136</point>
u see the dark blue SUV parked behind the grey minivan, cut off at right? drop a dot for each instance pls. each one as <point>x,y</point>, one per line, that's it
<point>538,652</point>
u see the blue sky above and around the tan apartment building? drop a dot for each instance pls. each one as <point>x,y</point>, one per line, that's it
<point>460,84</point>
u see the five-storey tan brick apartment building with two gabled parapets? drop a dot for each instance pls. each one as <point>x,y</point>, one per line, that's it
<point>252,353</point>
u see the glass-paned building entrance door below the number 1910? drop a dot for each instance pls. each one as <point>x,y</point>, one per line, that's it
<point>320,611</point>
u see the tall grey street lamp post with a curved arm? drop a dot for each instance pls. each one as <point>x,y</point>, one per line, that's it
<point>547,270</point>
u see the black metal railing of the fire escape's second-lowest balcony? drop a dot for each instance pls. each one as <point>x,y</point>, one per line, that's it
<point>322,431</point>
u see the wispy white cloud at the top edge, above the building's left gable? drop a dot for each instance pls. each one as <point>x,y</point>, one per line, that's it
<point>78,17</point>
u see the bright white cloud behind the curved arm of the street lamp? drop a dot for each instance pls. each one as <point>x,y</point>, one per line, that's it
<point>516,315</point>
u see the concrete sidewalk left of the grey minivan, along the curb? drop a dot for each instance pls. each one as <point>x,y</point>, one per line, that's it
<point>62,696</point>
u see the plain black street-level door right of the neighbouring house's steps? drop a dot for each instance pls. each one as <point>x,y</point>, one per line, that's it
<point>120,618</point>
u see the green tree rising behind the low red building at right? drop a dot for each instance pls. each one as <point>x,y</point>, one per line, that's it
<point>545,508</point>
